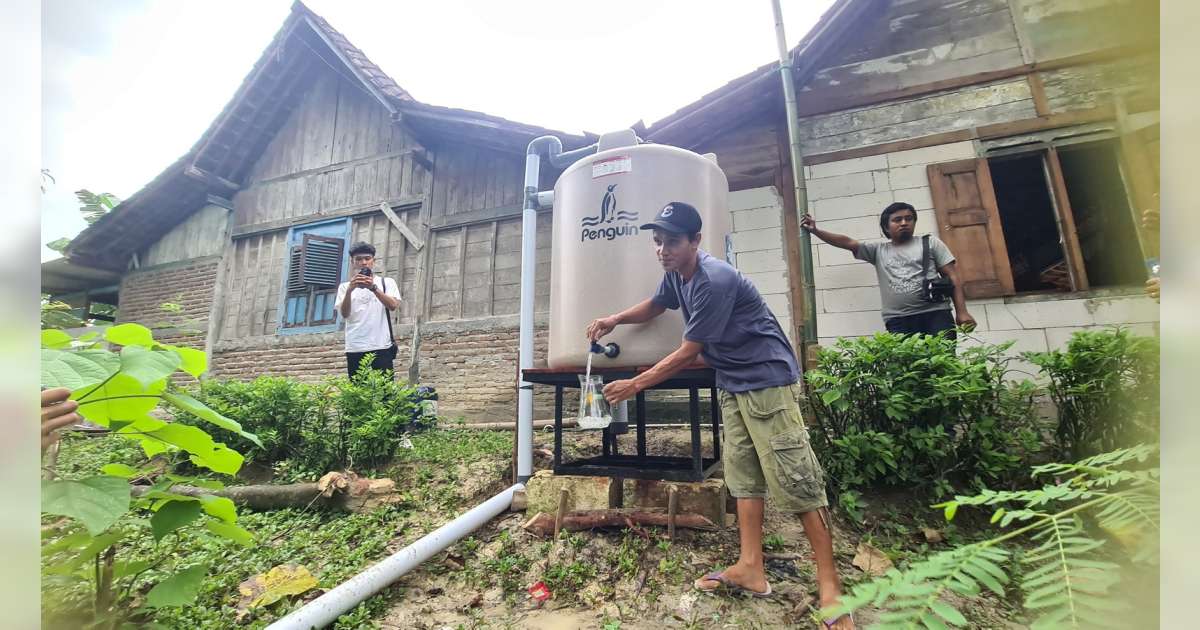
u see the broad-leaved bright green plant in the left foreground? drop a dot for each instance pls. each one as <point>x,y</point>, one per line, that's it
<point>121,391</point>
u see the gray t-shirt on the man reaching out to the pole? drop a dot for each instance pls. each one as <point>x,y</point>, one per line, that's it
<point>901,278</point>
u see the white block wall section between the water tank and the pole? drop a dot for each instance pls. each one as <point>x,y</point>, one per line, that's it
<point>758,247</point>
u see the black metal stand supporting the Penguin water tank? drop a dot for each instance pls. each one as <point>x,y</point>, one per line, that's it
<point>640,466</point>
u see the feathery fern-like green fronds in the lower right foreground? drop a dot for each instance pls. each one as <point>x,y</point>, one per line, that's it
<point>1069,573</point>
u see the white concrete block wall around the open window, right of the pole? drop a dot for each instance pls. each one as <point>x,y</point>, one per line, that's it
<point>848,197</point>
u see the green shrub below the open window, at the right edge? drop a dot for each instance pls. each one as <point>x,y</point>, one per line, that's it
<point>1106,387</point>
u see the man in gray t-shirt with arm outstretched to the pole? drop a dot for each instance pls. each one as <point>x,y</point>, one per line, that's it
<point>901,267</point>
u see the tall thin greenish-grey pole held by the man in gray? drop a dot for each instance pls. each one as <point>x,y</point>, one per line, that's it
<point>802,199</point>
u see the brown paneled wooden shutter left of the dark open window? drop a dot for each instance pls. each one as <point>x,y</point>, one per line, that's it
<point>969,224</point>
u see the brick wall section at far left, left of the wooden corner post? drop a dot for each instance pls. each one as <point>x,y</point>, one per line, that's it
<point>188,284</point>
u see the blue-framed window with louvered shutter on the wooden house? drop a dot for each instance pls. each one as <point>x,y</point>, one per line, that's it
<point>317,262</point>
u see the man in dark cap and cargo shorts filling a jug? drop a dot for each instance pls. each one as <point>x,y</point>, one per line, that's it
<point>766,445</point>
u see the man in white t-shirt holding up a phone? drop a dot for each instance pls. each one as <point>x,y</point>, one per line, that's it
<point>367,303</point>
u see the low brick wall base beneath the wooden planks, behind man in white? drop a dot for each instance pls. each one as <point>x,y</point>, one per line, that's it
<point>472,363</point>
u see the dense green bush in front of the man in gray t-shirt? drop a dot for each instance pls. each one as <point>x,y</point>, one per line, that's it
<point>909,411</point>
